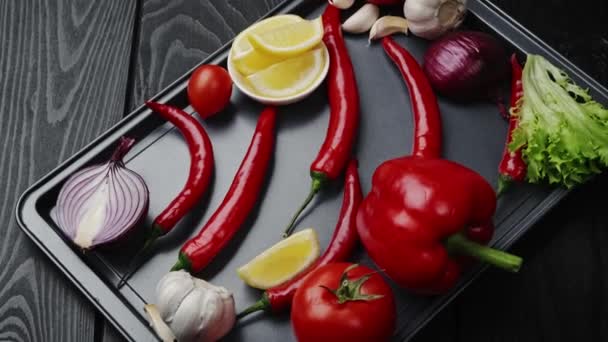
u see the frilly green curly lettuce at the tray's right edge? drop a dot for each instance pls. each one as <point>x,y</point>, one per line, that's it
<point>562,131</point>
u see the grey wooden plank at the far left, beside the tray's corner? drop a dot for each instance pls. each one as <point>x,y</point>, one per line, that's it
<point>63,78</point>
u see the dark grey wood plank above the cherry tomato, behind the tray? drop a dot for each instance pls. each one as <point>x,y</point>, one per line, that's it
<point>174,36</point>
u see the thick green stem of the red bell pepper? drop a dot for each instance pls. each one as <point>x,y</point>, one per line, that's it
<point>458,243</point>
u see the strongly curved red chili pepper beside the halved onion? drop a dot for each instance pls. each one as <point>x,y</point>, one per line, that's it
<point>201,169</point>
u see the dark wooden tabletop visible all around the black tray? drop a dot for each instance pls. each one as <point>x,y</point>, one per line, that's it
<point>71,69</point>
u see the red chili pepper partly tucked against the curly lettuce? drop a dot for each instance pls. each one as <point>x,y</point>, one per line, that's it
<point>512,167</point>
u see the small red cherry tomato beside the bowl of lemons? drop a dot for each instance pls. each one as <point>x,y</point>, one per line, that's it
<point>209,89</point>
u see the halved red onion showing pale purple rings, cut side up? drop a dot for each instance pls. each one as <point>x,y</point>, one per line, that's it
<point>103,202</point>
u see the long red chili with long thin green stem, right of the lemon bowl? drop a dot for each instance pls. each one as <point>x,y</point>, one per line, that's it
<point>344,112</point>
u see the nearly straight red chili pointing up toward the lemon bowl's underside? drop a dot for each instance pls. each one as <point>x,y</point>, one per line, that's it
<point>240,199</point>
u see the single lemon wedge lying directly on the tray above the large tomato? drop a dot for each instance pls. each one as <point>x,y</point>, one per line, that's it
<point>281,262</point>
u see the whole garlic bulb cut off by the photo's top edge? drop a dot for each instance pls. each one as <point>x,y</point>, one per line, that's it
<point>432,18</point>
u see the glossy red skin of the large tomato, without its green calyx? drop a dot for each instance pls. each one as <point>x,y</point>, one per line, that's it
<point>316,315</point>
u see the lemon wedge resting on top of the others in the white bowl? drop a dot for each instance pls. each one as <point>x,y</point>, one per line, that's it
<point>288,40</point>
